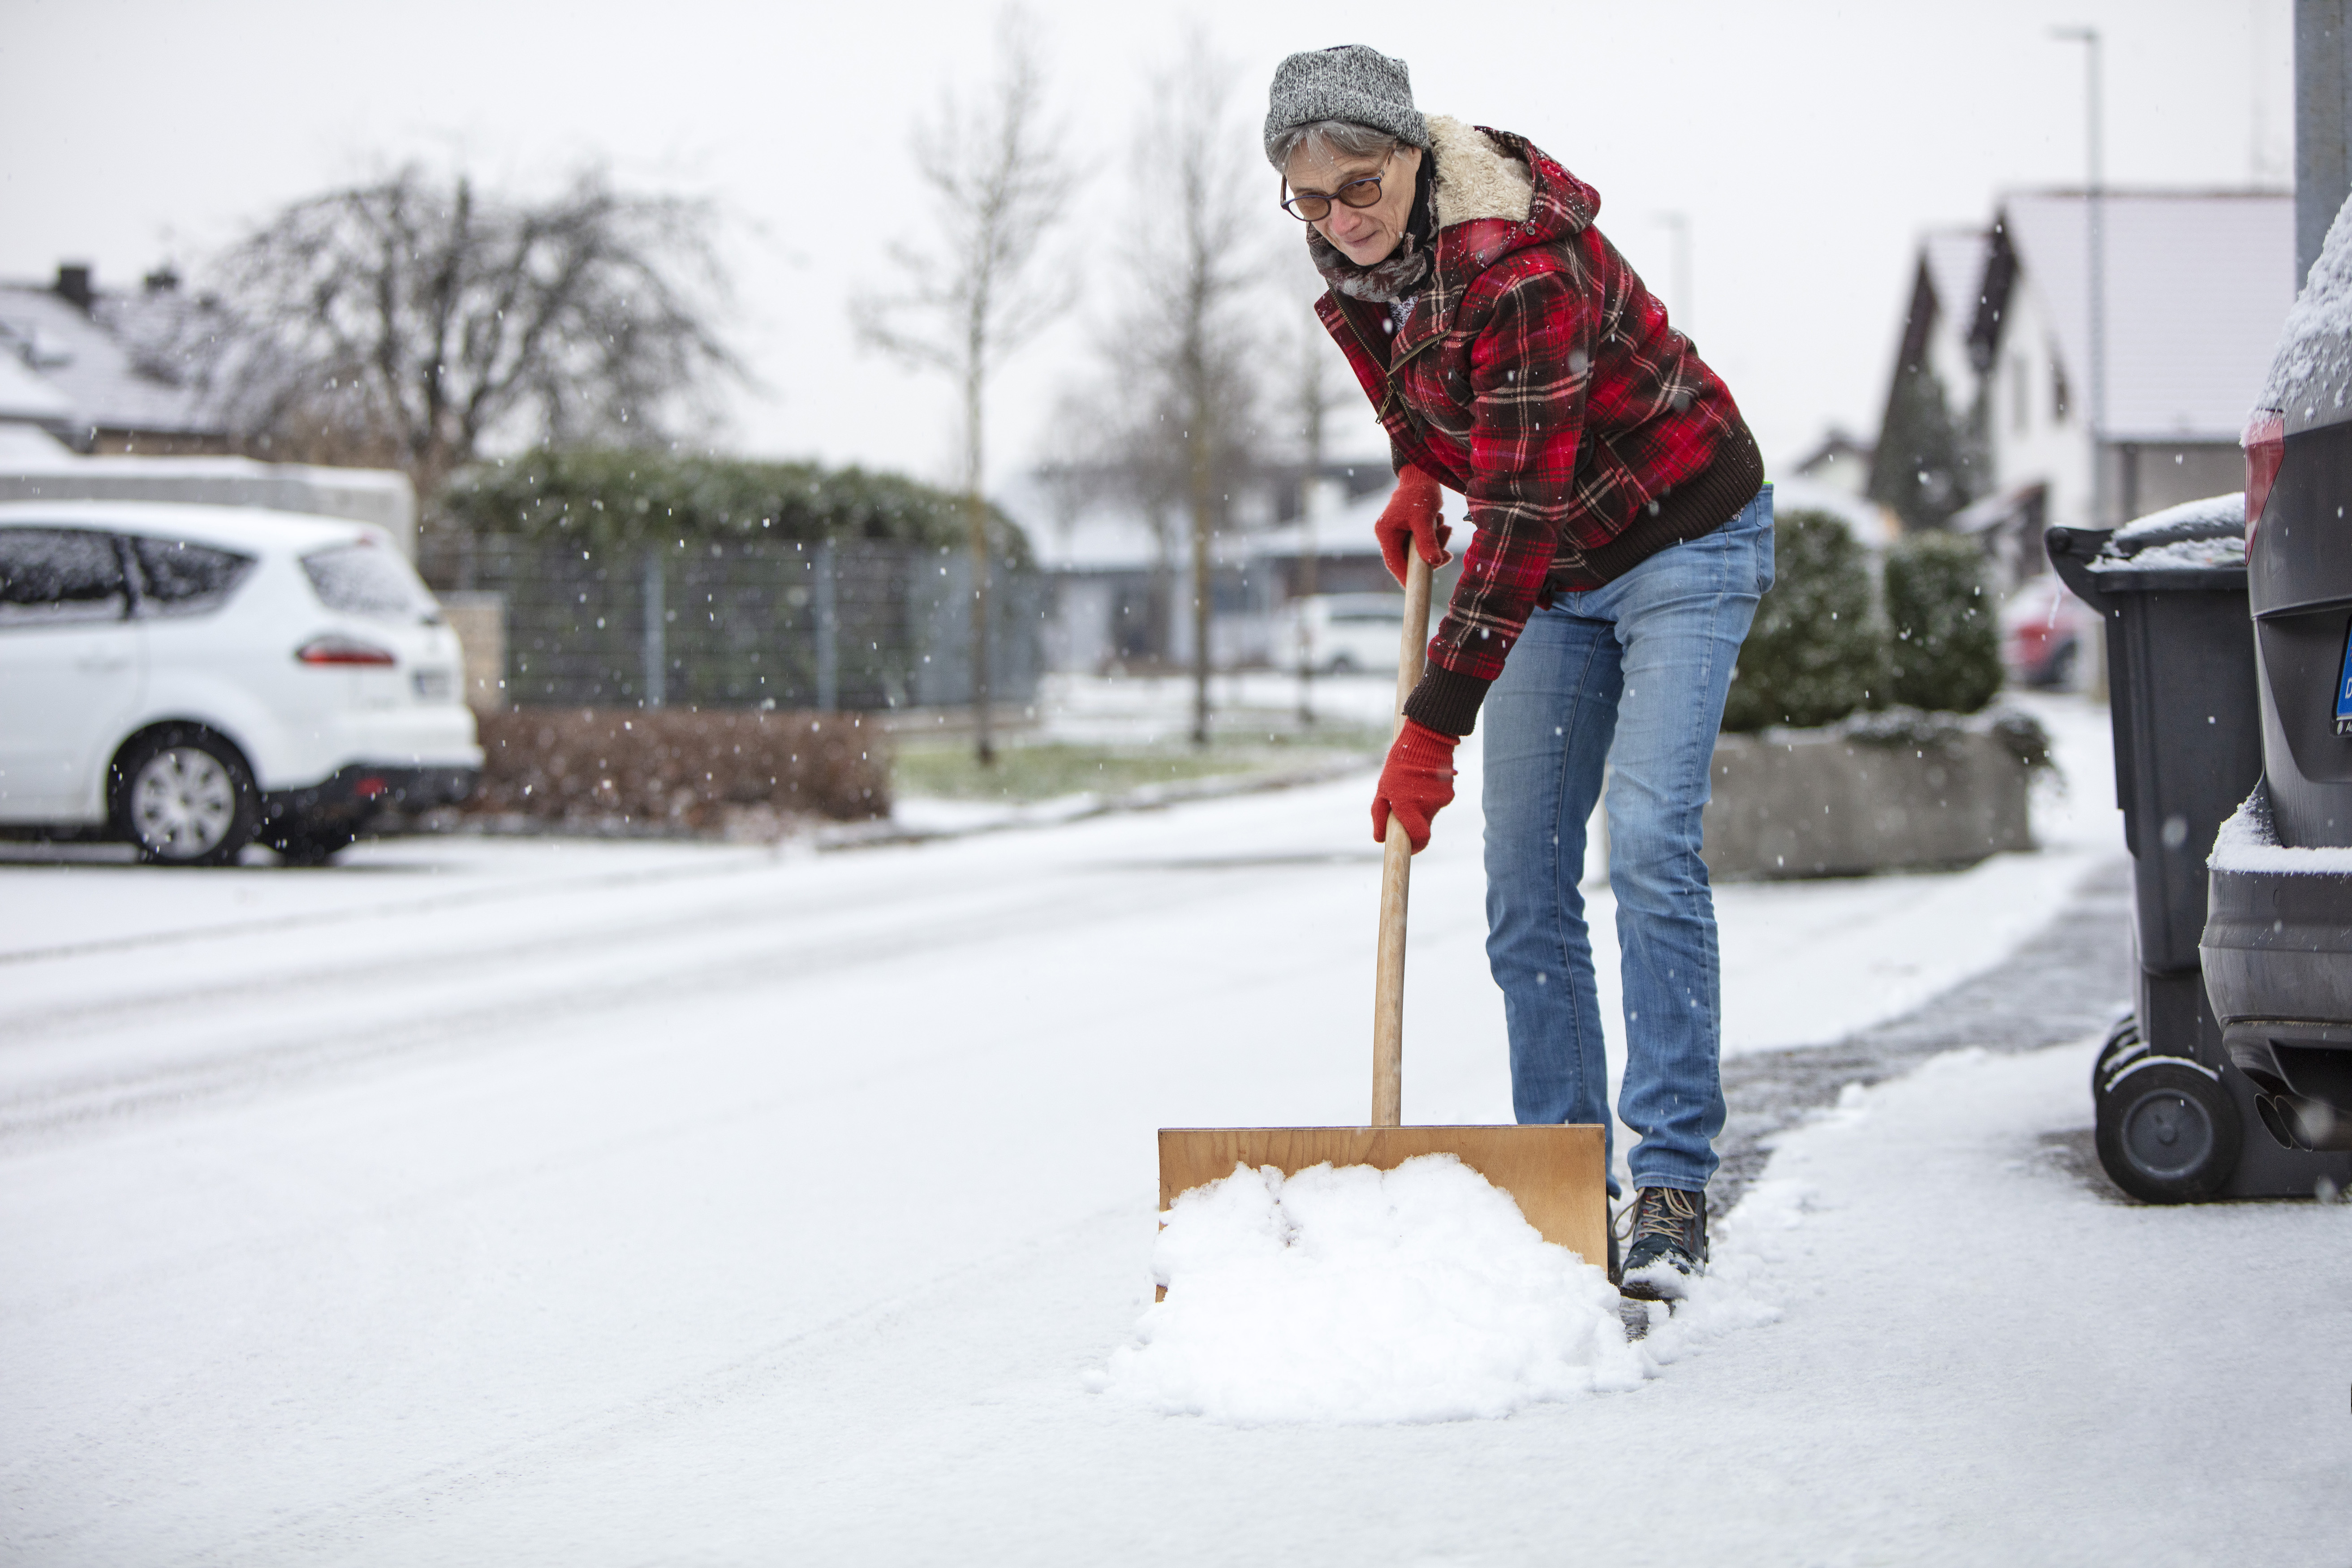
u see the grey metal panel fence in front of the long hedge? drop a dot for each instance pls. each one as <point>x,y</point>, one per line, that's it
<point>744,624</point>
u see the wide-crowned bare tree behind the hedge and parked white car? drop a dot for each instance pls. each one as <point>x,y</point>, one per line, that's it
<point>410,319</point>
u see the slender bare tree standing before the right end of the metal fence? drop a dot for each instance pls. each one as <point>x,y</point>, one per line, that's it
<point>998,187</point>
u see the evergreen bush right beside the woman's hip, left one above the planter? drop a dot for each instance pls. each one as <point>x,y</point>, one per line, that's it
<point>1815,652</point>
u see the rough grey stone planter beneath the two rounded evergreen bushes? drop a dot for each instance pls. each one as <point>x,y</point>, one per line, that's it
<point>1873,796</point>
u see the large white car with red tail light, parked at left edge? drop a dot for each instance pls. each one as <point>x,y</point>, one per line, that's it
<point>194,678</point>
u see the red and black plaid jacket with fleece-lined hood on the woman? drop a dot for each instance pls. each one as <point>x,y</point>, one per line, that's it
<point>1542,380</point>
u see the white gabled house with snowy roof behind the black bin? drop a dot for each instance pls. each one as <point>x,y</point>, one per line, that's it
<point>2196,286</point>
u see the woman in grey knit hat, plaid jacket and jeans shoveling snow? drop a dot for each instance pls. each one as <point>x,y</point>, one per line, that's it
<point>1622,544</point>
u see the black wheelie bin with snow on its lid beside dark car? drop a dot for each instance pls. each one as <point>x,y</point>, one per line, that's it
<point>2177,1123</point>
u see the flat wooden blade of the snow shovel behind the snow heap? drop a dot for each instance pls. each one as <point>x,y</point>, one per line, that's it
<point>1556,1174</point>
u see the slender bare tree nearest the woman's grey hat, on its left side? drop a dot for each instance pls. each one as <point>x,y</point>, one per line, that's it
<point>1189,344</point>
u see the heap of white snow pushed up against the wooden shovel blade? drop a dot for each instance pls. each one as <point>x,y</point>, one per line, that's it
<point>1368,1296</point>
